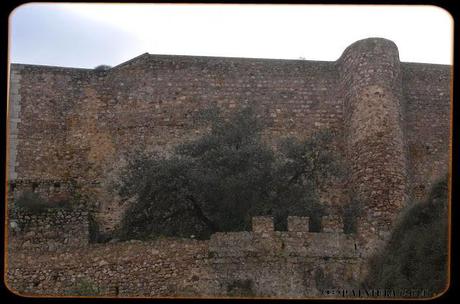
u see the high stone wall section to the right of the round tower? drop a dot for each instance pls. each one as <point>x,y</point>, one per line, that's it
<point>427,92</point>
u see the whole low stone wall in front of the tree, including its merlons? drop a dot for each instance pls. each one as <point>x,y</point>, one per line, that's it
<point>293,263</point>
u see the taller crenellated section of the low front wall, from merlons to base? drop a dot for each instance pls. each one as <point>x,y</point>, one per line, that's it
<point>298,257</point>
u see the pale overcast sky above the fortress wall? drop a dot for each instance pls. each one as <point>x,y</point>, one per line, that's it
<point>87,35</point>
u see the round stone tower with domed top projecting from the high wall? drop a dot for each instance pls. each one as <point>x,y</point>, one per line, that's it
<point>370,76</point>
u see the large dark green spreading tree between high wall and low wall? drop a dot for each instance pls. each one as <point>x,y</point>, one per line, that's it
<point>220,180</point>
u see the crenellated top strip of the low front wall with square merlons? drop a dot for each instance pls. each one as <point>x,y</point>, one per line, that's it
<point>298,240</point>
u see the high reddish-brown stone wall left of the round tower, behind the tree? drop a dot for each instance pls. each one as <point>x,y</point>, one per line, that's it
<point>149,104</point>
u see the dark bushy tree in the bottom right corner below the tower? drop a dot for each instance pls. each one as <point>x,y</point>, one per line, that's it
<point>416,254</point>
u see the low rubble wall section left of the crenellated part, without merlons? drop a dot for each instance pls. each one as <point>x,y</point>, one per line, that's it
<point>166,267</point>
